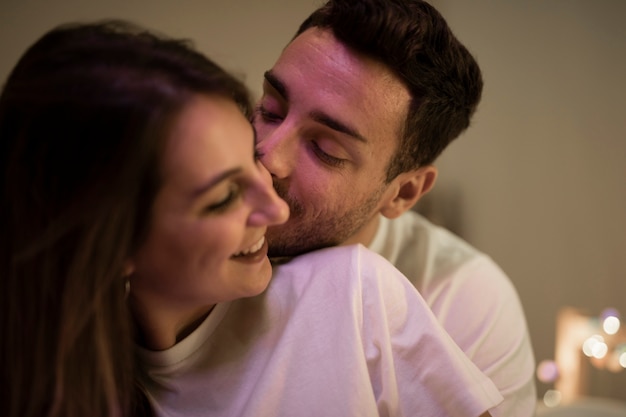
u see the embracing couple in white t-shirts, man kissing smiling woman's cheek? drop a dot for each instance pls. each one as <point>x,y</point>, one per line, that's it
<point>132,180</point>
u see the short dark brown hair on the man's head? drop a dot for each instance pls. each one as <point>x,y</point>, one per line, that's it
<point>412,39</point>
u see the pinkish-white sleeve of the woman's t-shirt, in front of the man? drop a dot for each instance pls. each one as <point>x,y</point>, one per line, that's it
<point>414,365</point>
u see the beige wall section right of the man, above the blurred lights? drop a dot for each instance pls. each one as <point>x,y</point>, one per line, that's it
<point>542,172</point>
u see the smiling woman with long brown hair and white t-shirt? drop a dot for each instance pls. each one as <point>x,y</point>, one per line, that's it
<point>133,220</point>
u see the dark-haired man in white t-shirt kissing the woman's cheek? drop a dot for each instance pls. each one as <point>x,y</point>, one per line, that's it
<point>353,114</point>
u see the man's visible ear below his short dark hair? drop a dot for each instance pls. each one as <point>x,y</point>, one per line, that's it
<point>407,188</point>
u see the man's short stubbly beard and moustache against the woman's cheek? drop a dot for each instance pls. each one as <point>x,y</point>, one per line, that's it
<point>318,230</point>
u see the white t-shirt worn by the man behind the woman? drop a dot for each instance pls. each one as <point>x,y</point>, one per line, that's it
<point>472,298</point>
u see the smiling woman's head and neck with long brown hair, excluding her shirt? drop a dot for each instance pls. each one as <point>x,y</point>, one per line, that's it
<point>122,155</point>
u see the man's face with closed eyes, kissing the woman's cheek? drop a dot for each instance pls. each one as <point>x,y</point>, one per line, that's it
<point>327,125</point>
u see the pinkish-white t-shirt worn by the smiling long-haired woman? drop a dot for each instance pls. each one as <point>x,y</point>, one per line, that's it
<point>339,332</point>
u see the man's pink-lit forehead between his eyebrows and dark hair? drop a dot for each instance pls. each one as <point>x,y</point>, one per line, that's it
<point>339,84</point>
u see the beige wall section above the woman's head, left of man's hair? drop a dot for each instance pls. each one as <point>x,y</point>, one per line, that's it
<point>246,36</point>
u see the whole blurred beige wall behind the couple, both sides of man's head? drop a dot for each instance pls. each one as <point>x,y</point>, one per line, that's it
<point>539,179</point>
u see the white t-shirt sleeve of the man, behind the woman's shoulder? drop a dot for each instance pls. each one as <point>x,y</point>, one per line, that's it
<point>496,338</point>
